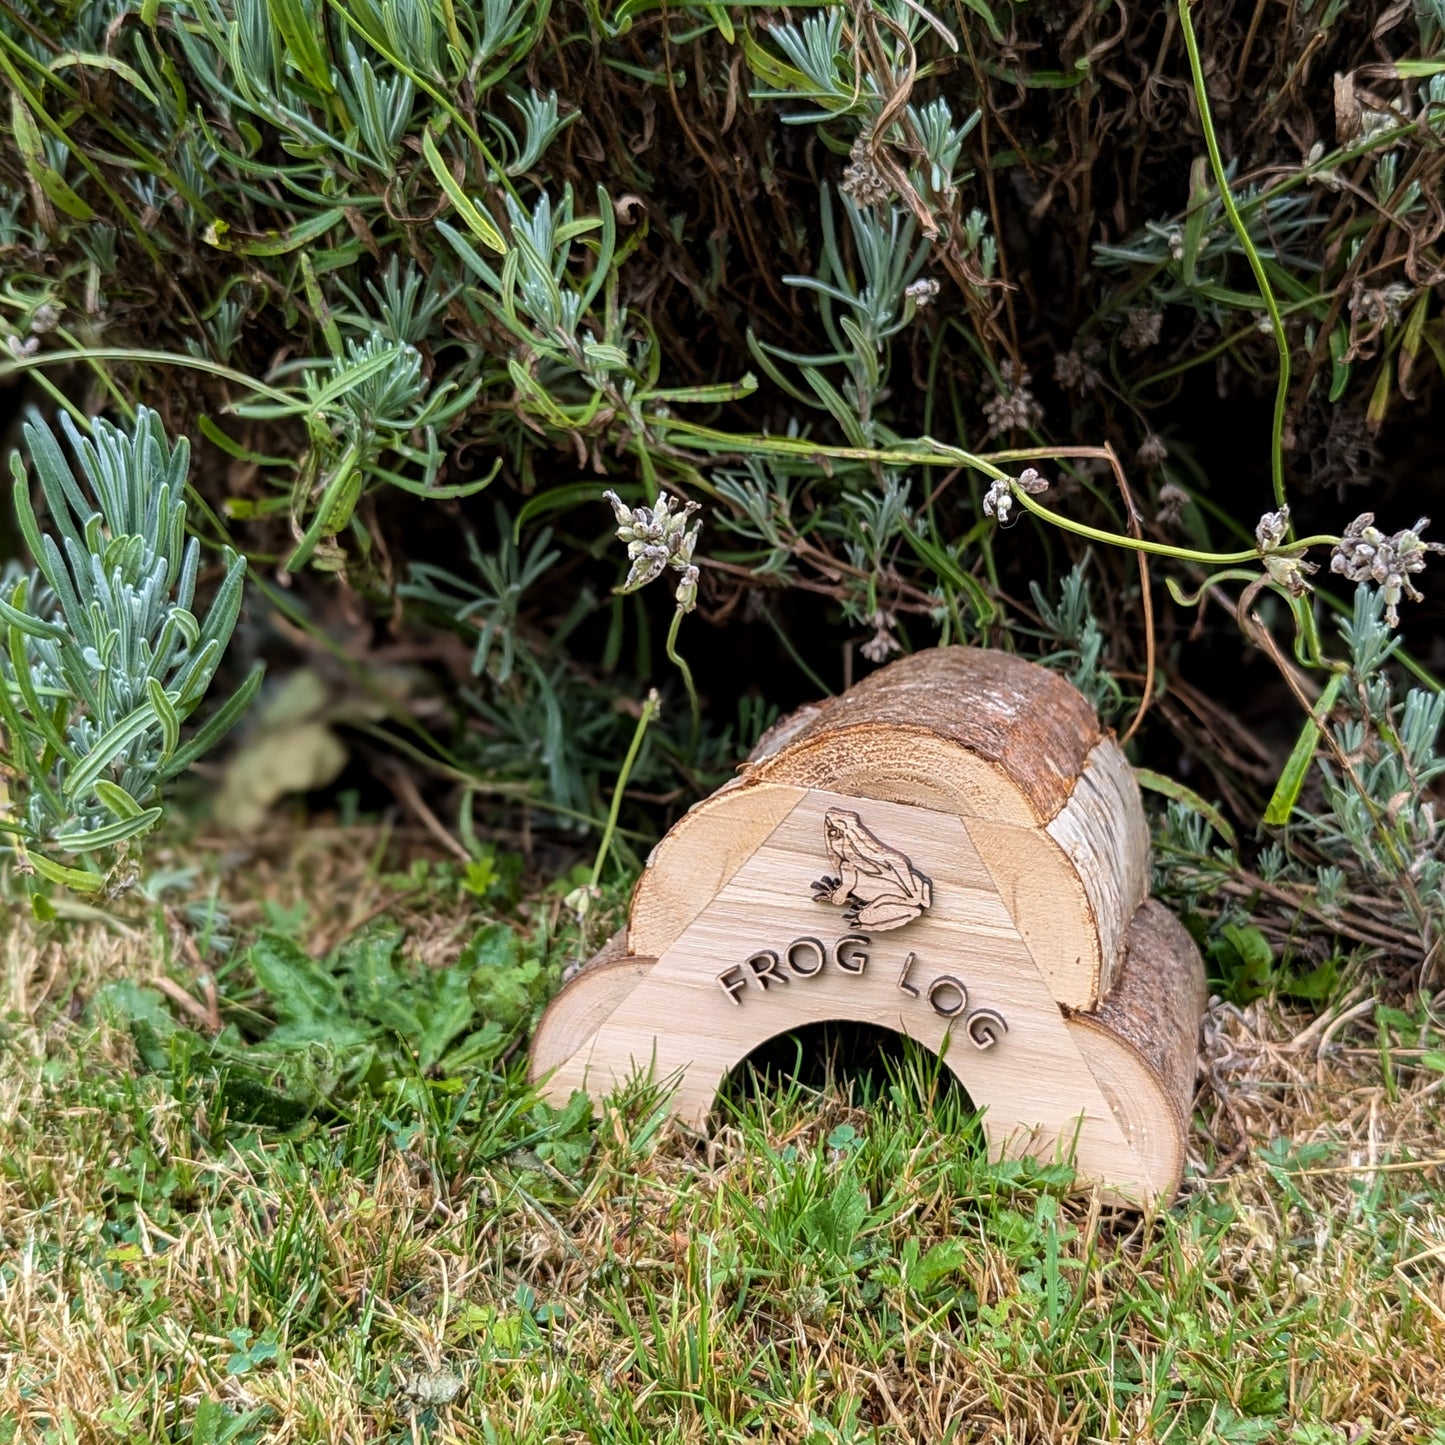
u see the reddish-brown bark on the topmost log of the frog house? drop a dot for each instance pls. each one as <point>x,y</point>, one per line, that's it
<point>1004,710</point>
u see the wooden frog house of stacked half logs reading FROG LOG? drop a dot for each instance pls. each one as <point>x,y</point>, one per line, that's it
<point>954,850</point>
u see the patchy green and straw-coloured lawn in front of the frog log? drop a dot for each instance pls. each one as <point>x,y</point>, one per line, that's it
<point>449,1259</point>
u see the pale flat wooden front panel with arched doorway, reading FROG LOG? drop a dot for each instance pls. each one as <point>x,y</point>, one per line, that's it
<point>1037,1086</point>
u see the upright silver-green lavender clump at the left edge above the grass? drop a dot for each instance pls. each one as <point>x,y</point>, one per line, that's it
<point>105,654</point>
